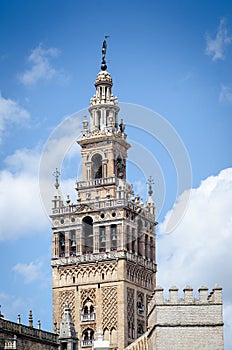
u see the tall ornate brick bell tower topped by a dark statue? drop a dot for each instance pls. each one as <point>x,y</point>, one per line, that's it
<point>103,246</point>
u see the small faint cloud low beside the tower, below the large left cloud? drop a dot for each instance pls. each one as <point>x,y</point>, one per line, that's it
<point>29,272</point>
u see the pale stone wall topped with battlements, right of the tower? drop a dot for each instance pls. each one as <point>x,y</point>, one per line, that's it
<point>186,323</point>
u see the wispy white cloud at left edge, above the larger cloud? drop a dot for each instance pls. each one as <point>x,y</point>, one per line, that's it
<point>10,113</point>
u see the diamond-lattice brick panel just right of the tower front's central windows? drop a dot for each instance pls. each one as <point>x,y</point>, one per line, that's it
<point>110,309</point>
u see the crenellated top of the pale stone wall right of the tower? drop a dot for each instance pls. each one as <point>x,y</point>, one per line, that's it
<point>204,297</point>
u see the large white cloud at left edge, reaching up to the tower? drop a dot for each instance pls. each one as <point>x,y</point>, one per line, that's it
<point>27,184</point>
